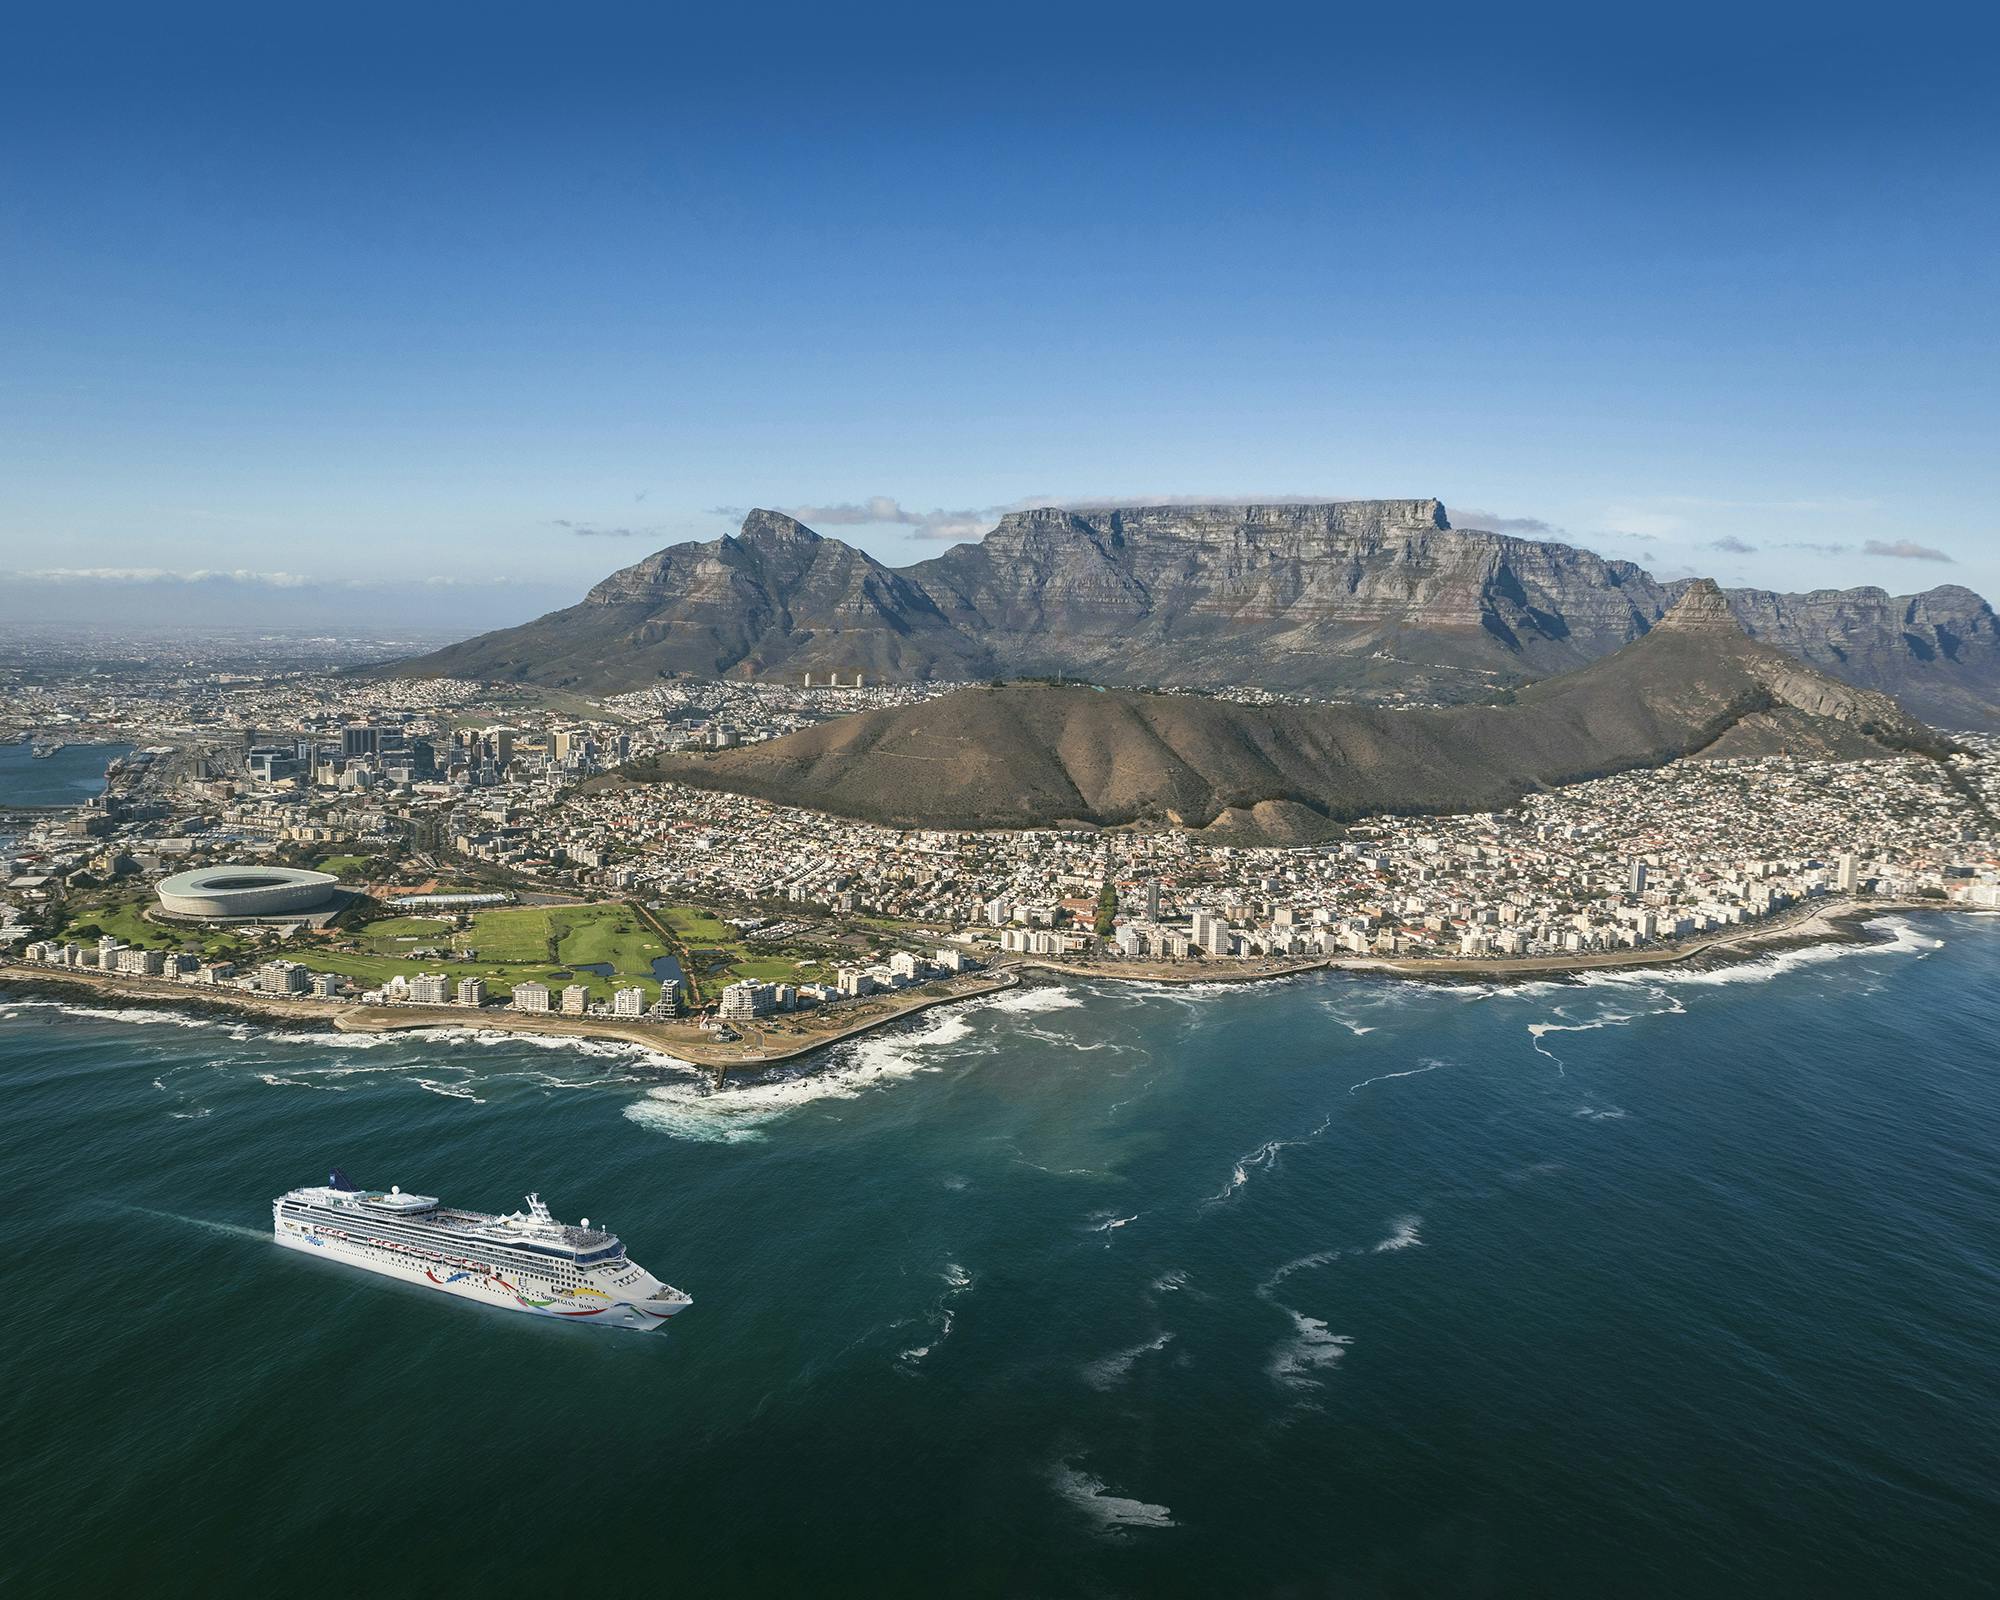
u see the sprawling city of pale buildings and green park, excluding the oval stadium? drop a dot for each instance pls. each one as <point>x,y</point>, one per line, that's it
<point>481,853</point>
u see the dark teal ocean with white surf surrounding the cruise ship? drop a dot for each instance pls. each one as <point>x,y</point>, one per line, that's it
<point>1653,1285</point>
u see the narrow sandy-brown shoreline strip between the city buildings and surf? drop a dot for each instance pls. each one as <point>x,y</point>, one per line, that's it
<point>771,1043</point>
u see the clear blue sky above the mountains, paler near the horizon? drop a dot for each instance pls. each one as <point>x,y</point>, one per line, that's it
<point>443,317</point>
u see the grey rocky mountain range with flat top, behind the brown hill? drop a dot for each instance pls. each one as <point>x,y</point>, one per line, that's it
<point>1369,599</point>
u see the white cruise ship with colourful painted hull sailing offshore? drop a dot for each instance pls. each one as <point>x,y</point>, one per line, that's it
<point>521,1263</point>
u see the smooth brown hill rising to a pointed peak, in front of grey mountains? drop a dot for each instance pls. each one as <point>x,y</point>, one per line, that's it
<point>1043,755</point>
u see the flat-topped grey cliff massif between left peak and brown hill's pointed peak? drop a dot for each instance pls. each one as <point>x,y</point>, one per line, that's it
<point>1297,595</point>
